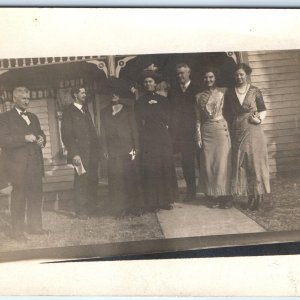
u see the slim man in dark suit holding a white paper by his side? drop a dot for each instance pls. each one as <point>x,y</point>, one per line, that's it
<point>80,138</point>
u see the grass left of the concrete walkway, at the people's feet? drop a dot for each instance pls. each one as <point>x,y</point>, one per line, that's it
<point>65,230</point>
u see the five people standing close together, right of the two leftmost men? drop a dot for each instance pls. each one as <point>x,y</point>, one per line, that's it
<point>218,129</point>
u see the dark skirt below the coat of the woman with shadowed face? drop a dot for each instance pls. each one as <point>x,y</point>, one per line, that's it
<point>123,184</point>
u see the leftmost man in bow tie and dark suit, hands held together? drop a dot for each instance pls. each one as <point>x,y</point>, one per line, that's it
<point>21,140</point>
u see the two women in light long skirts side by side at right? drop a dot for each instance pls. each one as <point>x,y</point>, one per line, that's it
<point>234,157</point>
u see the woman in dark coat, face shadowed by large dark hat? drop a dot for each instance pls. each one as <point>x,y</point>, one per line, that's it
<point>120,142</point>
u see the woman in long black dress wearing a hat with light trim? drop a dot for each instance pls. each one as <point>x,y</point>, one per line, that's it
<point>158,174</point>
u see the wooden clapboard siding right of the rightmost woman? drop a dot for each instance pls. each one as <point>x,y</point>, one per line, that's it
<point>277,74</point>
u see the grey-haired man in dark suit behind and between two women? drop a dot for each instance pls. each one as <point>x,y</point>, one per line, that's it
<point>183,125</point>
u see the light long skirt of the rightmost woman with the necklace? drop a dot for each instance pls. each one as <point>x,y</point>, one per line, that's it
<point>250,159</point>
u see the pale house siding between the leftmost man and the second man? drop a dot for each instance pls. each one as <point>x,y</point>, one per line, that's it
<point>57,177</point>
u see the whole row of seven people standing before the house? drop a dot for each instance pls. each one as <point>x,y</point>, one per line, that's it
<point>217,129</point>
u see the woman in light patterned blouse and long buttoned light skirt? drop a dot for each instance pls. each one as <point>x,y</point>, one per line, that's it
<point>213,138</point>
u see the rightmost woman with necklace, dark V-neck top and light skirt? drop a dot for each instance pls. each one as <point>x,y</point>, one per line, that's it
<point>250,176</point>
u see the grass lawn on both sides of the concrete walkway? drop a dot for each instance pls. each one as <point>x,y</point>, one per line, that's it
<point>279,212</point>
